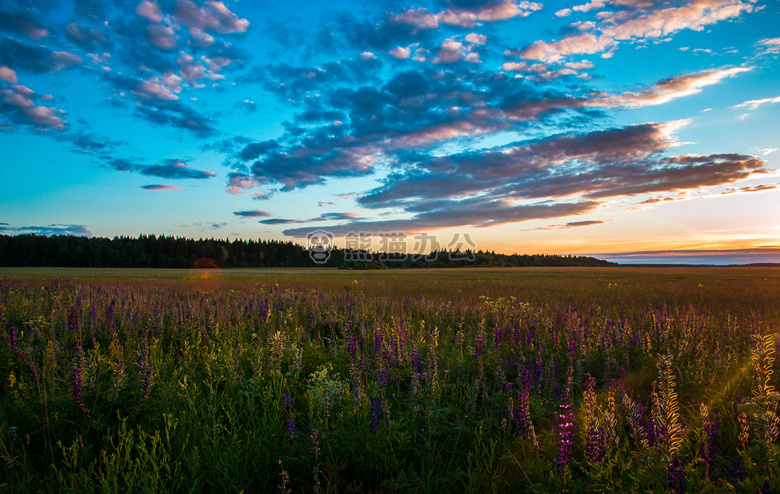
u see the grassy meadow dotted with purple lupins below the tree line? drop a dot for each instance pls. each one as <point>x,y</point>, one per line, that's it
<point>333,381</point>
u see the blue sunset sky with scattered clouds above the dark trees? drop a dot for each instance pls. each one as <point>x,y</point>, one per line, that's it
<point>630,130</point>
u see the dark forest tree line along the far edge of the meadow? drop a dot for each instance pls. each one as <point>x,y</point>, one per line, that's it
<point>151,251</point>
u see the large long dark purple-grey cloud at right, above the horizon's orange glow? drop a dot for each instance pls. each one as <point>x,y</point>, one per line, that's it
<point>595,166</point>
